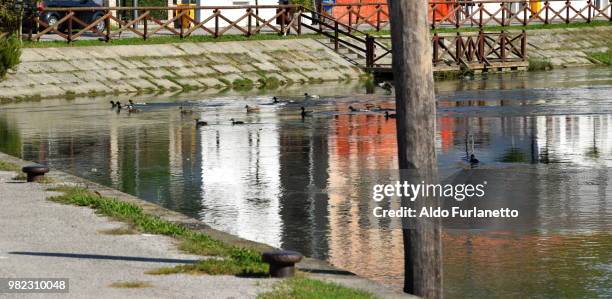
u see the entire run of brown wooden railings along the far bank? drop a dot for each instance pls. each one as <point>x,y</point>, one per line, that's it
<point>359,32</point>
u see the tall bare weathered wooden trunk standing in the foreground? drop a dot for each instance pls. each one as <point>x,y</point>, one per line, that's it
<point>416,109</point>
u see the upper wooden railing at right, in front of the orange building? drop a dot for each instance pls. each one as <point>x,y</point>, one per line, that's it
<point>477,13</point>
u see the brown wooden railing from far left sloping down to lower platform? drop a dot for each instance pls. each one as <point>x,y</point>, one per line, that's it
<point>464,49</point>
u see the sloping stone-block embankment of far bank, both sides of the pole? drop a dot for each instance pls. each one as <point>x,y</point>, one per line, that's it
<point>215,67</point>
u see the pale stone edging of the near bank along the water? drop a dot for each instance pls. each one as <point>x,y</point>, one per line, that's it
<point>317,269</point>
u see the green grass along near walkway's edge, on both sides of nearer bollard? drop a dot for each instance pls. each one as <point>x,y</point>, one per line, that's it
<point>226,259</point>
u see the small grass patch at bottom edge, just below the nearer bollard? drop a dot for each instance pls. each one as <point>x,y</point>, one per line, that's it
<point>304,288</point>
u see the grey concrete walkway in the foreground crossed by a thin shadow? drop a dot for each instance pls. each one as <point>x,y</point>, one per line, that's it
<point>42,239</point>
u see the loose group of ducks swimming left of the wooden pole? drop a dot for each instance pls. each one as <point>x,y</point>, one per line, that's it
<point>131,108</point>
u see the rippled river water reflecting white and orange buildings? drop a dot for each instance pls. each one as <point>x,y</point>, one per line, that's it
<point>302,183</point>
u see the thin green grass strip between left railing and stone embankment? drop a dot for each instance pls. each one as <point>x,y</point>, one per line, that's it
<point>163,40</point>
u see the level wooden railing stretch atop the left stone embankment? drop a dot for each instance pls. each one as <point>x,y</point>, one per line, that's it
<point>216,21</point>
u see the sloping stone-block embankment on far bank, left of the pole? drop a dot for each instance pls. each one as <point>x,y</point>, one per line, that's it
<point>53,72</point>
